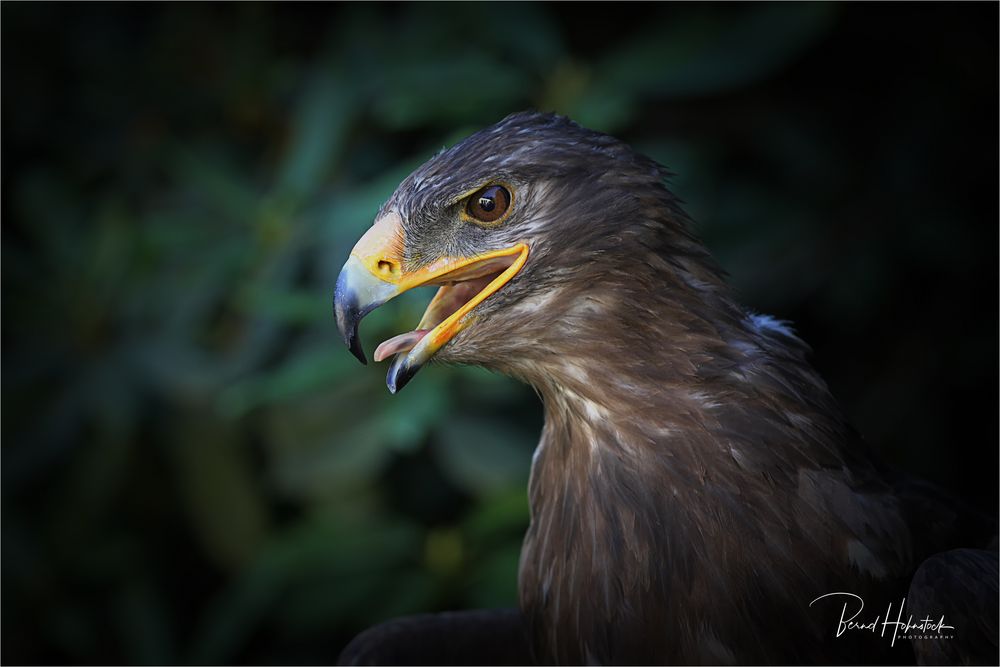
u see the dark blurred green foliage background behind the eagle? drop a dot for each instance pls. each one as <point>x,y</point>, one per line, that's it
<point>194,468</point>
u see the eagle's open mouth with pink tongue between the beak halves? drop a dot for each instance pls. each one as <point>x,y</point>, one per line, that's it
<point>462,289</point>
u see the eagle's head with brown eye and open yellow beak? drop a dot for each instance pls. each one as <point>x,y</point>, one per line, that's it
<point>528,224</point>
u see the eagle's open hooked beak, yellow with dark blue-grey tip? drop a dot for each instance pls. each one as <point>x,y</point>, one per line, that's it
<point>374,273</point>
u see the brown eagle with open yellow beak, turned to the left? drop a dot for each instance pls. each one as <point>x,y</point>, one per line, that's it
<point>697,495</point>
